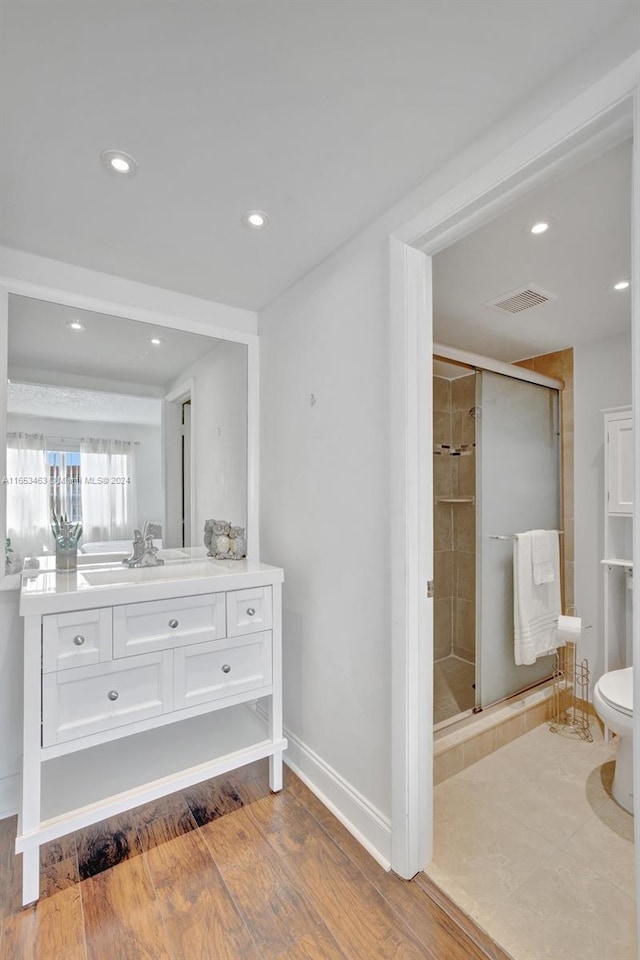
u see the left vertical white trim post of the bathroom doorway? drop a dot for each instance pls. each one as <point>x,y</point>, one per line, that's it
<point>411,559</point>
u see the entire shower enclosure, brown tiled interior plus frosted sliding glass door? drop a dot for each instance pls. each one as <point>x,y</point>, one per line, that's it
<point>496,473</point>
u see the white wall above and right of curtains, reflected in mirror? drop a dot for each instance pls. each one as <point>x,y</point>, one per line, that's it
<point>148,453</point>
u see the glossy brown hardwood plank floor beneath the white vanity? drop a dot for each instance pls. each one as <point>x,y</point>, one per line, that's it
<point>226,871</point>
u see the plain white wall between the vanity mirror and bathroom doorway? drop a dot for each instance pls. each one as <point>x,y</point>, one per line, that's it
<point>325,506</point>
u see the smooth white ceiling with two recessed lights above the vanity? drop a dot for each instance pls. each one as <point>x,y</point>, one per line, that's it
<point>322,113</point>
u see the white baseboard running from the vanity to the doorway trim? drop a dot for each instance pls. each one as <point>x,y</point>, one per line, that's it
<point>364,821</point>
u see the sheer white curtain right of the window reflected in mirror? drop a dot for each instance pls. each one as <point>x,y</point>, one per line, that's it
<point>107,469</point>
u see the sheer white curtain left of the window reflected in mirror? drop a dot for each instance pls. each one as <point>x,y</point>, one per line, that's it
<point>28,520</point>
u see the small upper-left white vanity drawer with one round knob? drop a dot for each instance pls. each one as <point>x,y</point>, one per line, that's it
<point>76,639</point>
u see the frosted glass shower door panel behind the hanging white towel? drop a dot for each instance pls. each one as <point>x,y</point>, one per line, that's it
<point>517,489</point>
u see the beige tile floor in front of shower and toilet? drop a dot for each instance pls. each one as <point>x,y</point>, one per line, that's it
<point>529,842</point>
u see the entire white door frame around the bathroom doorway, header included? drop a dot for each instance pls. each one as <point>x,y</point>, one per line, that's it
<point>584,126</point>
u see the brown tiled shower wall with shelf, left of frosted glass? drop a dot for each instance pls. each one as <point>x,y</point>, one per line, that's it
<point>454,523</point>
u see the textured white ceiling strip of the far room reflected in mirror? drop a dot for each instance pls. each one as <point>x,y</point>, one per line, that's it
<point>70,403</point>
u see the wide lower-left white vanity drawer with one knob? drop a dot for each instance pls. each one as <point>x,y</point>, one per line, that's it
<point>86,700</point>
